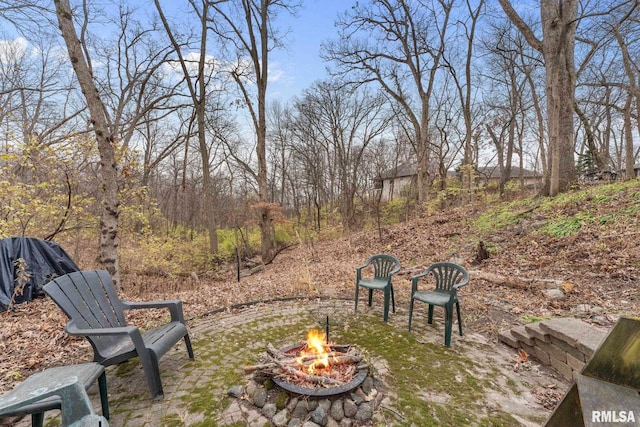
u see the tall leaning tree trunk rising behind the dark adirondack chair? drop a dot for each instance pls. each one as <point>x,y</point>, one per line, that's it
<point>104,138</point>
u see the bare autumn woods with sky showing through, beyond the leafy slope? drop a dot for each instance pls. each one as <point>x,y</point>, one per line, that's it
<point>133,117</point>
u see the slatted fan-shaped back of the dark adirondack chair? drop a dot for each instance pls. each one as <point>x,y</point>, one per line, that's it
<point>90,301</point>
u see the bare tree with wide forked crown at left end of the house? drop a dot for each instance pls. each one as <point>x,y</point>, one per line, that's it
<point>399,44</point>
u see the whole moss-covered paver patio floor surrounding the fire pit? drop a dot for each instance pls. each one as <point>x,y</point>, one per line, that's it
<point>427,383</point>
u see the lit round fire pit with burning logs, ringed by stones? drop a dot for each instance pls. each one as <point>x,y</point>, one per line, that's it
<point>310,381</point>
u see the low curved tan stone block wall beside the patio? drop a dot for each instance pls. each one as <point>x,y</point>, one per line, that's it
<point>565,344</point>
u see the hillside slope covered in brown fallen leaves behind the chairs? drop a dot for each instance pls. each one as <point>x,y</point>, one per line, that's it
<point>585,245</point>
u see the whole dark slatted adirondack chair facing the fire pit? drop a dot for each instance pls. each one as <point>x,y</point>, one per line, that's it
<point>90,301</point>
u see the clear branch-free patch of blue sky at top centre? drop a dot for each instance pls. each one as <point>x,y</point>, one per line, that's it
<point>300,64</point>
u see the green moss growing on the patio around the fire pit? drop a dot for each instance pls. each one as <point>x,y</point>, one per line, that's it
<point>429,384</point>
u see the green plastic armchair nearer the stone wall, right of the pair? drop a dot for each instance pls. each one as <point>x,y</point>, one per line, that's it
<point>448,278</point>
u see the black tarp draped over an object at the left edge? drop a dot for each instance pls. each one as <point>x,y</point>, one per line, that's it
<point>45,261</point>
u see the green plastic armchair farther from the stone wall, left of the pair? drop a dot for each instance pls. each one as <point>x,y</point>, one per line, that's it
<point>383,266</point>
